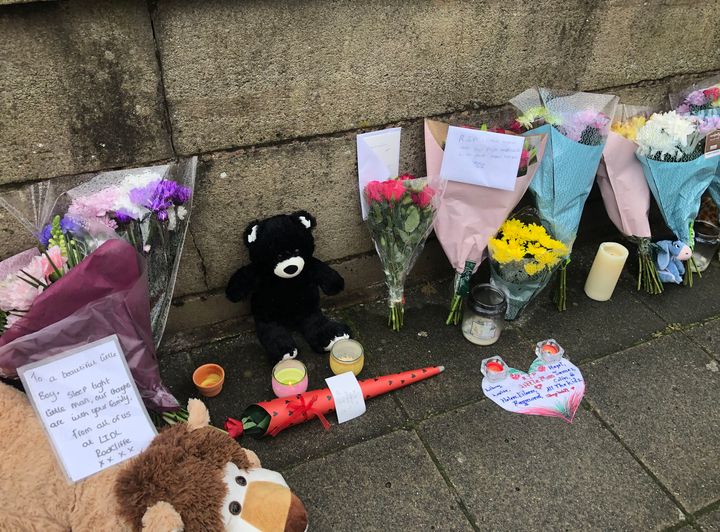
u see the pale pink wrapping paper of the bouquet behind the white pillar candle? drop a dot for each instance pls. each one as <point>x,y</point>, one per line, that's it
<point>623,187</point>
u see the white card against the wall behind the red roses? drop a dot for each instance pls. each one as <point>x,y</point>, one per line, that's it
<point>378,159</point>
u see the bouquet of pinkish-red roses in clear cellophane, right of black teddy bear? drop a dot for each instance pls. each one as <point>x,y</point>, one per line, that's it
<point>401,212</point>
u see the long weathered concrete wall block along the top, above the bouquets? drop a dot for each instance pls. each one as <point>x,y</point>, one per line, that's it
<point>265,71</point>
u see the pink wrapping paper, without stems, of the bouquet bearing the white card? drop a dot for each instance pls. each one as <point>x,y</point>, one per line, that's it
<point>470,215</point>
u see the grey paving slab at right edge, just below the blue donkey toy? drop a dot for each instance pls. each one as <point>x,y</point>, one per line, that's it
<point>681,304</point>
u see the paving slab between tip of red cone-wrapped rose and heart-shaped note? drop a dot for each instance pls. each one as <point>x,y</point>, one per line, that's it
<point>425,340</point>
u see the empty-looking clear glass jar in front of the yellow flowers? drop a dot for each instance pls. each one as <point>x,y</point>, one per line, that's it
<point>484,315</point>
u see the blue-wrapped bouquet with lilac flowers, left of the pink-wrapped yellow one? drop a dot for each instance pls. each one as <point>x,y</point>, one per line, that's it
<point>577,125</point>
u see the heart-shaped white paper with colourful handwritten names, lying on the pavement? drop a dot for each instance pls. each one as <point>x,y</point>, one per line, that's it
<point>546,390</point>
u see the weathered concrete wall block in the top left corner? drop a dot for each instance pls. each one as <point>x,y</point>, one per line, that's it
<point>80,89</point>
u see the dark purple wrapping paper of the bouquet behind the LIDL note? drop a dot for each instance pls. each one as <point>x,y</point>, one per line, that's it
<point>107,293</point>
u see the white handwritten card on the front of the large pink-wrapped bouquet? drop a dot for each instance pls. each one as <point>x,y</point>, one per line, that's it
<point>482,158</point>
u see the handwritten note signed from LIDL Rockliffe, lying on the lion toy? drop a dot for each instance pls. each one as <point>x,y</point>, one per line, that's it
<point>90,407</point>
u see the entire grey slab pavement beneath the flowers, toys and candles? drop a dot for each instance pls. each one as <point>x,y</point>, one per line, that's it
<point>643,452</point>
